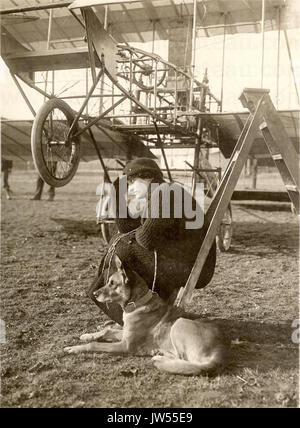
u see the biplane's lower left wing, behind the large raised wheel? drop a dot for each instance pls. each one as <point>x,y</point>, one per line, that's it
<point>16,134</point>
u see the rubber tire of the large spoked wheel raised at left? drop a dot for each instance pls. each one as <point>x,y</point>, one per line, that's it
<point>36,138</point>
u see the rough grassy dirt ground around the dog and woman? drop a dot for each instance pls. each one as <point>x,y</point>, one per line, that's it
<point>49,255</point>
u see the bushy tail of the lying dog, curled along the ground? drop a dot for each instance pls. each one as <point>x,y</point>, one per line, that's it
<point>187,368</point>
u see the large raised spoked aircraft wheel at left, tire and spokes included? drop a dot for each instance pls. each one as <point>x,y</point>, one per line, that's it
<point>56,156</point>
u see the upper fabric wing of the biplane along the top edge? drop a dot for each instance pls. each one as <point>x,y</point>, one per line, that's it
<point>127,22</point>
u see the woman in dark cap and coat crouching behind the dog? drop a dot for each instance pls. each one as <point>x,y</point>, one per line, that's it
<point>159,247</point>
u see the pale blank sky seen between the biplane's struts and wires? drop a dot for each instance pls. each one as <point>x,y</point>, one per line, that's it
<point>242,69</point>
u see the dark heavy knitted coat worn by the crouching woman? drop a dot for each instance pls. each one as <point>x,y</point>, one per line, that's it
<point>176,247</point>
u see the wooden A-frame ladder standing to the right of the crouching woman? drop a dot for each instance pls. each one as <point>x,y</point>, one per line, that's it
<point>264,117</point>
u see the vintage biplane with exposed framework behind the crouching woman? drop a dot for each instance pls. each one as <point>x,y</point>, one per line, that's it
<point>144,101</point>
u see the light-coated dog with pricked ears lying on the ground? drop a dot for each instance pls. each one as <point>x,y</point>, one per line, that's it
<point>179,345</point>
